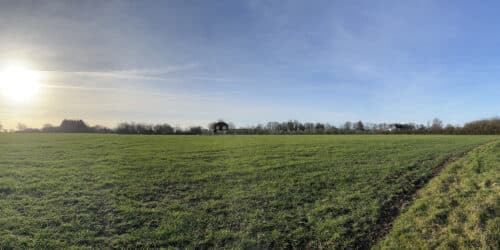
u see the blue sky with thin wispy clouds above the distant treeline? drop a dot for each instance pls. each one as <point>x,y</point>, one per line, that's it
<point>192,62</point>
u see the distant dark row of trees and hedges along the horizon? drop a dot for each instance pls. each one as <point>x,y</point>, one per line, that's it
<point>485,126</point>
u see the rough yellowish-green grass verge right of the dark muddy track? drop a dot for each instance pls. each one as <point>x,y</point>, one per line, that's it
<point>460,209</point>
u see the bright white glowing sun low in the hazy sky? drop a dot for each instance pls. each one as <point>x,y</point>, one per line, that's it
<point>19,84</point>
